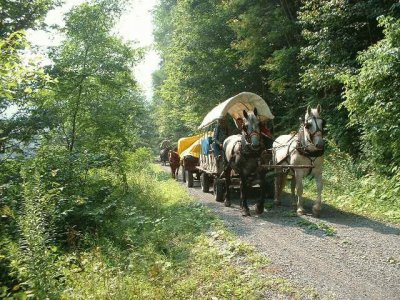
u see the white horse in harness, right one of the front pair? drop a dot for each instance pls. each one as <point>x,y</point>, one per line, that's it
<point>306,147</point>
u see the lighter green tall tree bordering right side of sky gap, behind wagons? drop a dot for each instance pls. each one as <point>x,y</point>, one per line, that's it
<point>199,66</point>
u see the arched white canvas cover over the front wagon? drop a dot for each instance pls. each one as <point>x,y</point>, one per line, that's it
<point>234,106</point>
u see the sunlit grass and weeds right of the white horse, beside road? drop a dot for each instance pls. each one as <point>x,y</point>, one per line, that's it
<point>372,196</point>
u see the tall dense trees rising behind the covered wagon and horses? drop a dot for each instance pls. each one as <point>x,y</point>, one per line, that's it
<point>292,53</point>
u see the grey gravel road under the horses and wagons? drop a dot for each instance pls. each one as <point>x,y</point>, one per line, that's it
<point>340,255</point>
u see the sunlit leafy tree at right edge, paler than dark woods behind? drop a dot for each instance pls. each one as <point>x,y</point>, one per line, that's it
<point>373,100</point>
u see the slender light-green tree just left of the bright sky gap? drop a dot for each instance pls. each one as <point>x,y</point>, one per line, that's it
<point>96,98</point>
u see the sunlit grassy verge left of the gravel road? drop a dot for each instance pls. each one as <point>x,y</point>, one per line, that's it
<point>161,244</point>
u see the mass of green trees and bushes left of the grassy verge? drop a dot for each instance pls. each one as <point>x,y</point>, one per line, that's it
<point>82,128</point>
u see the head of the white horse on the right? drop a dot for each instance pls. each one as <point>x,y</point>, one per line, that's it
<point>313,129</point>
